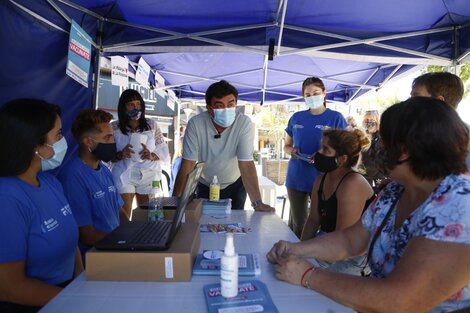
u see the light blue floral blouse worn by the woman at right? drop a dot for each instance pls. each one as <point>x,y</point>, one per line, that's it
<point>444,216</point>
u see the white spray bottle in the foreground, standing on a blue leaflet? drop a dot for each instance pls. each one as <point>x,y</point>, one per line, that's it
<point>229,269</point>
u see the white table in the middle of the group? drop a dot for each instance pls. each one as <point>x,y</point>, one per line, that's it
<point>144,297</point>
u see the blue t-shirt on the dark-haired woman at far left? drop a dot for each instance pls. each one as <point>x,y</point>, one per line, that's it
<point>37,227</point>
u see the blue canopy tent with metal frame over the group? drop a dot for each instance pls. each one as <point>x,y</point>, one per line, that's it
<point>354,46</point>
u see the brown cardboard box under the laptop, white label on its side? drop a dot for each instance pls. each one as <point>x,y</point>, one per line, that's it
<point>174,264</point>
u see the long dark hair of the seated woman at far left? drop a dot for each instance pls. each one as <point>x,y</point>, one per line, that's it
<point>24,124</point>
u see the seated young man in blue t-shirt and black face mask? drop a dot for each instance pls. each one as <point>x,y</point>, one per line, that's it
<point>88,183</point>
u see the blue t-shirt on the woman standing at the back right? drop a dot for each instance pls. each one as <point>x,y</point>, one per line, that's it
<point>305,129</point>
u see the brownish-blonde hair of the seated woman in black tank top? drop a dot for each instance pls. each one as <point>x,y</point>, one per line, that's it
<point>349,142</point>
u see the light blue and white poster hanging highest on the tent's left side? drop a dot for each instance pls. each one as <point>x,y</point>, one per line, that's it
<point>78,61</point>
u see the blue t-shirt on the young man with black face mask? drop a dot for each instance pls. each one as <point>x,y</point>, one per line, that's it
<point>92,194</point>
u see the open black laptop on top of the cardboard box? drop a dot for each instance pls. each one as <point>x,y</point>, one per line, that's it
<point>151,236</point>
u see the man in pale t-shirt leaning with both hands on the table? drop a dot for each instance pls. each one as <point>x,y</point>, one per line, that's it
<point>223,139</point>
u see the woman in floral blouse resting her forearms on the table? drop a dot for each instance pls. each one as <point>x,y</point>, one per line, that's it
<point>417,232</point>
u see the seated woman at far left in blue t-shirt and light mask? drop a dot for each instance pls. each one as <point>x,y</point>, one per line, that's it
<point>38,234</point>
